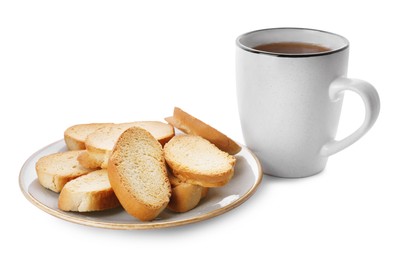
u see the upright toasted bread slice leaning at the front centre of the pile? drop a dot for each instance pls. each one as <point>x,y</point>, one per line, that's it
<point>137,173</point>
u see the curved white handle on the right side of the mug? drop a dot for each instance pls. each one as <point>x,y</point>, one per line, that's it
<point>371,102</point>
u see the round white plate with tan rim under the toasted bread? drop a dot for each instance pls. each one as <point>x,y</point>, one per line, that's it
<point>247,177</point>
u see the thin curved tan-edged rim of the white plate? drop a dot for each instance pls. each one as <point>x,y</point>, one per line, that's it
<point>144,225</point>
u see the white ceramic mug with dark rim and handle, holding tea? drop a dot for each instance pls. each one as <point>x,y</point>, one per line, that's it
<point>290,104</point>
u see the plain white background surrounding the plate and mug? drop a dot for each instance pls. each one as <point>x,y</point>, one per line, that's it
<point>69,62</point>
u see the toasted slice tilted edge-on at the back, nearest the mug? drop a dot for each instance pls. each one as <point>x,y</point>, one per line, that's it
<point>191,125</point>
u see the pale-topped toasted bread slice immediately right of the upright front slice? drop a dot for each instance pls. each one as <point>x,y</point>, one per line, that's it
<point>195,160</point>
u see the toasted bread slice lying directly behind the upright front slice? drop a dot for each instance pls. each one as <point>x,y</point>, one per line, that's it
<point>100,143</point>
